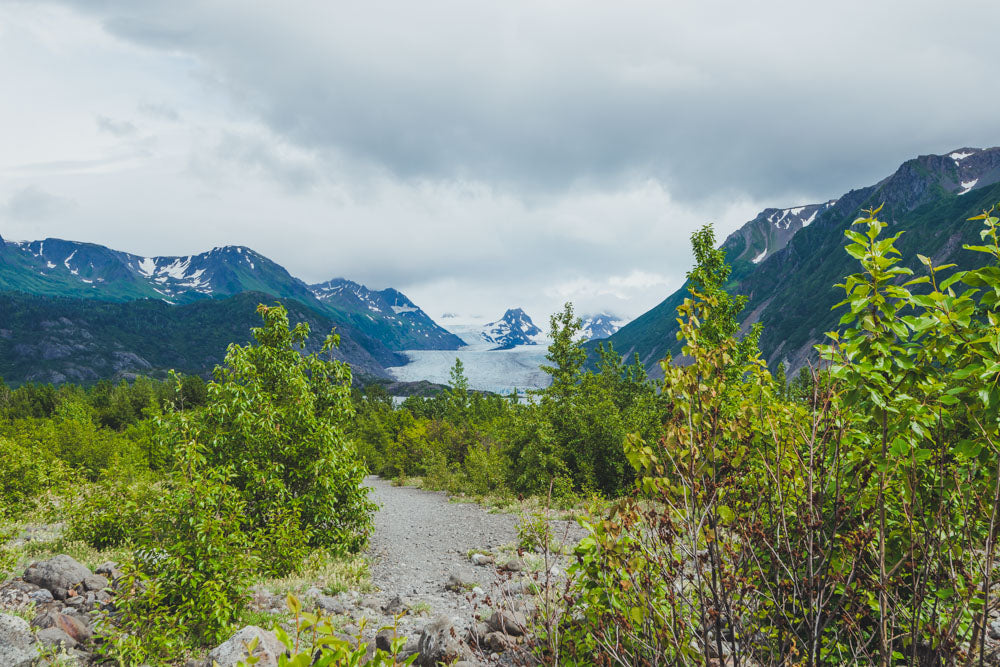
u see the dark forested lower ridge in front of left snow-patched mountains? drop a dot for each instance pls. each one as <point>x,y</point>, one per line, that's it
<point>59,339</point>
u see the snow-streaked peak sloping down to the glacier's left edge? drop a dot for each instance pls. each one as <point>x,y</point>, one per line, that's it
<point>386,315</point>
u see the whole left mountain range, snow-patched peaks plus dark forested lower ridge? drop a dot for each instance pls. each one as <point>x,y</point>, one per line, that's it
<point>83,311</point>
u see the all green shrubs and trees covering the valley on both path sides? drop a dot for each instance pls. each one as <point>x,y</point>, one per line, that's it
<point>849,517</point>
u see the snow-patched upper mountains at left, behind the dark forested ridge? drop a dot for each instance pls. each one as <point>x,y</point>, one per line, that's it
<point>374,325</point>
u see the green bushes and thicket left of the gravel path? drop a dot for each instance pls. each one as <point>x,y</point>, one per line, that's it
<point>202,487</point>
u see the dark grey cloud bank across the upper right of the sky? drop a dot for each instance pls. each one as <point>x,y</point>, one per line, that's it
<point>772,100</point>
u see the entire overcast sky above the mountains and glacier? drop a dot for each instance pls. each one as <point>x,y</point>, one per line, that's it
<point>476,156</point>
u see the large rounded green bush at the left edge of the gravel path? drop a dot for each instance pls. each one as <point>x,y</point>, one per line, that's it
<point>276,418</point>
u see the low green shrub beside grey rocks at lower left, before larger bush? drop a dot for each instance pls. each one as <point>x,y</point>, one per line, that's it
<point>188,579</point>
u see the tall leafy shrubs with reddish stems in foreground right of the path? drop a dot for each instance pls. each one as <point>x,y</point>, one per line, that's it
<point>855,525</point>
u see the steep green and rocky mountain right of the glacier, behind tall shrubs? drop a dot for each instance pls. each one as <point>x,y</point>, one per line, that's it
<point>787,261</point>
